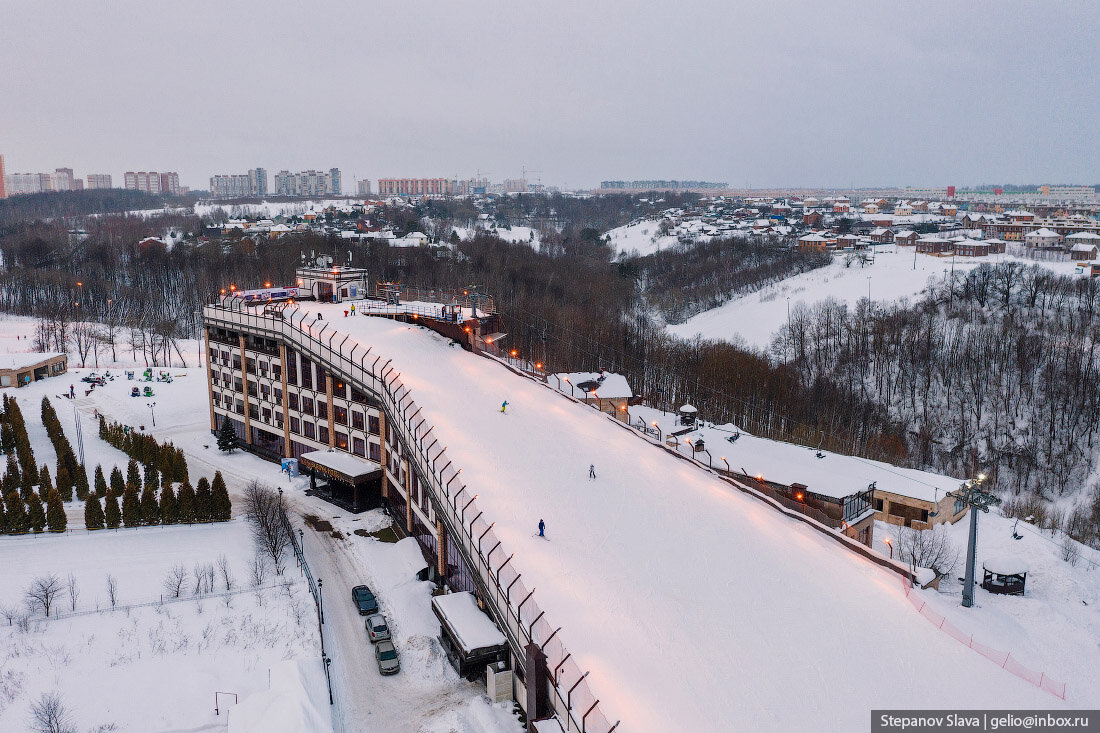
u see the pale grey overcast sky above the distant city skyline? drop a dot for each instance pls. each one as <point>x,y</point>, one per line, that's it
<point>766,93</point>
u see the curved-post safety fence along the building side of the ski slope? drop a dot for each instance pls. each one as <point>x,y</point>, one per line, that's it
<point>501,582</point>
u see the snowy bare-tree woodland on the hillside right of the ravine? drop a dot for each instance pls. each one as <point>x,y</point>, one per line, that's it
<point>995,371</point>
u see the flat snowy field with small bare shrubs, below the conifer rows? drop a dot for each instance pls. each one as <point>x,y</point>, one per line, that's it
<point>155,668</point>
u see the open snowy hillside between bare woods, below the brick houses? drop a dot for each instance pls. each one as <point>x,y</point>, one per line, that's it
<point>756,318</point>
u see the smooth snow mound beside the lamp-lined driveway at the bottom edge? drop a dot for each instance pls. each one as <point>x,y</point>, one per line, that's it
<point>298,701</point>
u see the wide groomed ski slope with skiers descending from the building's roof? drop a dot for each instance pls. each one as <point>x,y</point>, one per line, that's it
<point>696,608</point>
